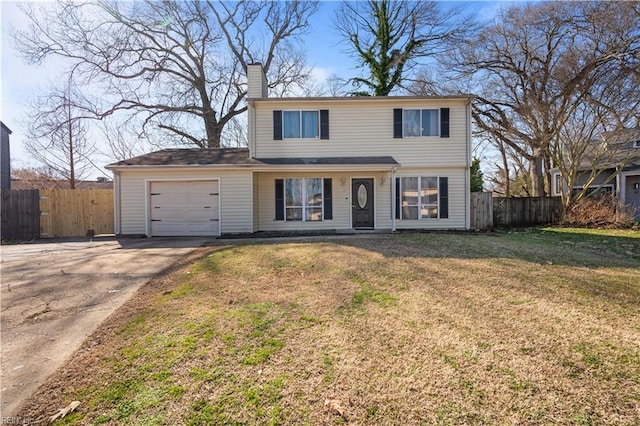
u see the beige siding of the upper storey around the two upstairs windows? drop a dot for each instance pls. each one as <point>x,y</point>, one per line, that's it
<point>365,128</point>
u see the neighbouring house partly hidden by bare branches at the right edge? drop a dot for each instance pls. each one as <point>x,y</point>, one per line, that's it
<point>621,175</point>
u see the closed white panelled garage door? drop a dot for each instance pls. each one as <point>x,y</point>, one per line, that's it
<point>184,208</point>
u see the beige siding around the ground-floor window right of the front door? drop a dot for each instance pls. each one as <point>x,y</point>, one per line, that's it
<point>458,200</point>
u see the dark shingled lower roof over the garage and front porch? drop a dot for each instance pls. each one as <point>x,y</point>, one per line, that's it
<point>239,157</point>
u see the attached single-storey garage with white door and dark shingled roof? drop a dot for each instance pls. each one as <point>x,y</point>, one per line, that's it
<point>185,192</point>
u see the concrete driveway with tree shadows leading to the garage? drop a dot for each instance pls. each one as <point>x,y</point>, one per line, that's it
<point>55,294</point>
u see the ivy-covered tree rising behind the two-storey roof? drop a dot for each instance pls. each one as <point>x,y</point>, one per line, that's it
<point>390,38</point>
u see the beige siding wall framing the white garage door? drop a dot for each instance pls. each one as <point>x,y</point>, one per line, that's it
<point>235,196</point>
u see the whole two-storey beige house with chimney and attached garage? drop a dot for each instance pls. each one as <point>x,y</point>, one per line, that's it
<point>312,164</point>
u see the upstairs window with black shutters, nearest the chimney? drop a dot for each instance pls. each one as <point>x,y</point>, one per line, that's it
<point>300,124</point>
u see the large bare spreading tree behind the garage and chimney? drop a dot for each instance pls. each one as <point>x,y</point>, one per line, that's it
<point>179,65</point>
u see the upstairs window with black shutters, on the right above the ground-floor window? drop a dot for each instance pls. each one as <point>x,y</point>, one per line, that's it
<point>414,123</point>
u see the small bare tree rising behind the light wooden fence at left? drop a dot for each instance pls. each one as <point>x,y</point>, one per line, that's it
<point>57,134</point>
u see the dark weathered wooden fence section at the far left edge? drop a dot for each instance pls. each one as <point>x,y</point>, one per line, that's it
<point>20,214</point>
